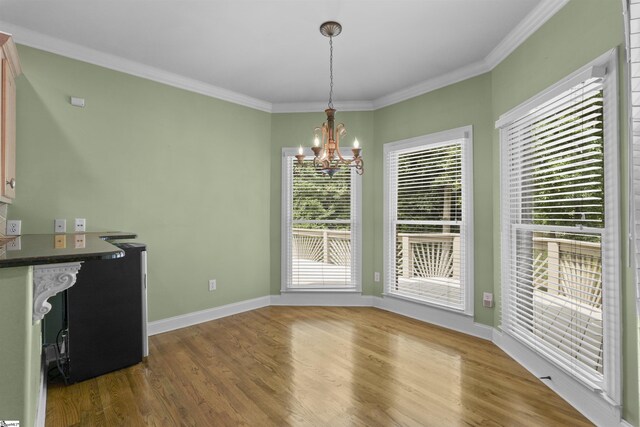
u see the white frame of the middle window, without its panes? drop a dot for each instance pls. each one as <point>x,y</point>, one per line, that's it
<point>466,264</point>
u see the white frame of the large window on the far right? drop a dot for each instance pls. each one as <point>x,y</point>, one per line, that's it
<point>611,389</point>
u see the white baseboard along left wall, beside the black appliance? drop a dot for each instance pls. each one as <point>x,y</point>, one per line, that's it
<point>177,322</point>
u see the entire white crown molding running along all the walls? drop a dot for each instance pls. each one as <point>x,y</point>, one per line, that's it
<point>534,20</point>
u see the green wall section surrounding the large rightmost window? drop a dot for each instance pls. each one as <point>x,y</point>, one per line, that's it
<point>577,34</point>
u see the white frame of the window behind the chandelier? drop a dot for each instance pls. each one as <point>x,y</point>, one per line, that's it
<point>288,155</point>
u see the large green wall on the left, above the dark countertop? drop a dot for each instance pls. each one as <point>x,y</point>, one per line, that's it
<point>184,171</point>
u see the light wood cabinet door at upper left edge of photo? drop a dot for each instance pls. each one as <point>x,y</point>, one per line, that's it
<point>8,131</point>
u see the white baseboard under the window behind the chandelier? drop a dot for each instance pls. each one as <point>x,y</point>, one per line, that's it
<point>328,299</point>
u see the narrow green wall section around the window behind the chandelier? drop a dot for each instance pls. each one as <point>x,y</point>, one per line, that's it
<point>293,130</point>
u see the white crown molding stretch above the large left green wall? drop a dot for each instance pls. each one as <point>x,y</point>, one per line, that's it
<point>37,40</point>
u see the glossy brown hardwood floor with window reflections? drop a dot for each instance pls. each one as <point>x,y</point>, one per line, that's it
<point>281,366</point>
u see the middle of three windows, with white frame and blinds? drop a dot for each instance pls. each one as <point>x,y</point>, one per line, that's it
<point>428,235</point>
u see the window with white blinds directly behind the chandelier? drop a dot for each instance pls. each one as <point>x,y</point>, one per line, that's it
<point>320,226</point>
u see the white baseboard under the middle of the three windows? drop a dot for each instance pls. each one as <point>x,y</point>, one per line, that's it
<point>436,316</point>
